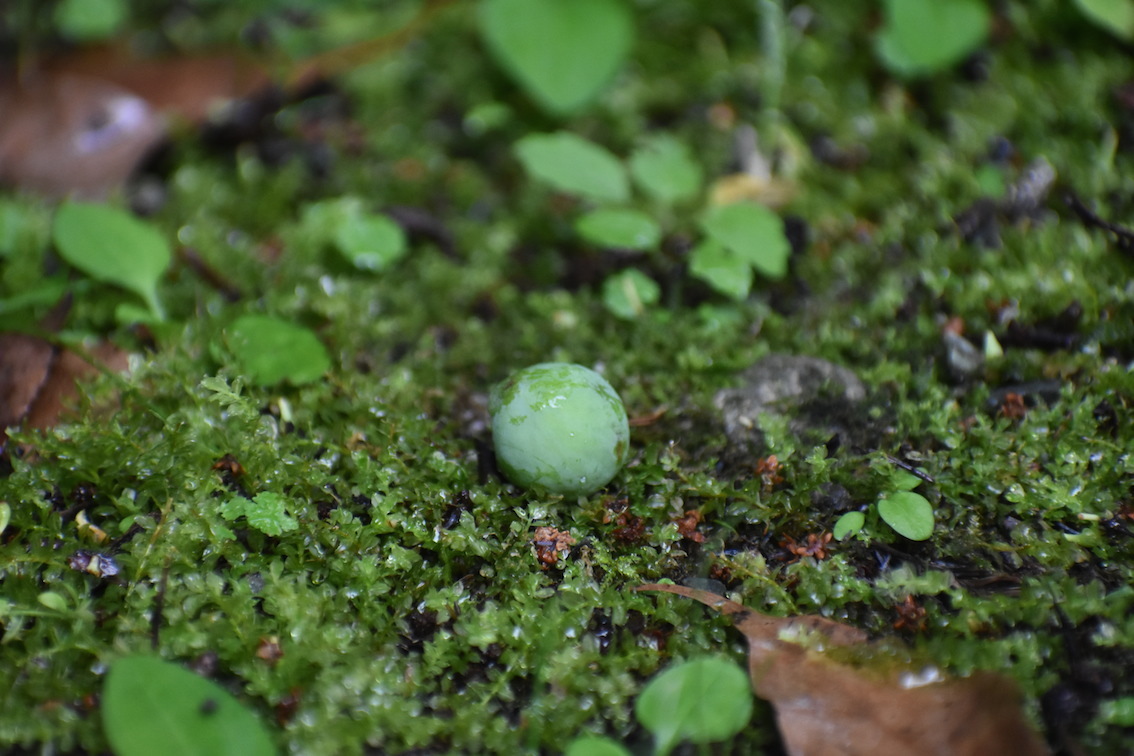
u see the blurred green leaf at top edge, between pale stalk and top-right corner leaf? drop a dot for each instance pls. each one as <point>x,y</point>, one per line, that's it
<point>926,37</point>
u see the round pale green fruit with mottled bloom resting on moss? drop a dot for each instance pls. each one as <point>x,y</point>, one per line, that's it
<point>560,427</point>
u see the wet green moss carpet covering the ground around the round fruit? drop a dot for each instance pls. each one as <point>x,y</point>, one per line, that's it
<point>410,606</point>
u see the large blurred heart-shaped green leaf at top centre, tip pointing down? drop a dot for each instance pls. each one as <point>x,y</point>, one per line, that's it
<point>563,53</point>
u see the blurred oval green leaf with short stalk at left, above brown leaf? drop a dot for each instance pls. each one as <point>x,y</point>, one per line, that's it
<point>112,245</point>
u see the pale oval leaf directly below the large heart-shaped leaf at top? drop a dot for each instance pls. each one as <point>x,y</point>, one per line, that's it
<point>573,165</point>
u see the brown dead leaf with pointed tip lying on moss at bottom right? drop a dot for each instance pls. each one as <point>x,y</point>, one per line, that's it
<point>836,694</point>
